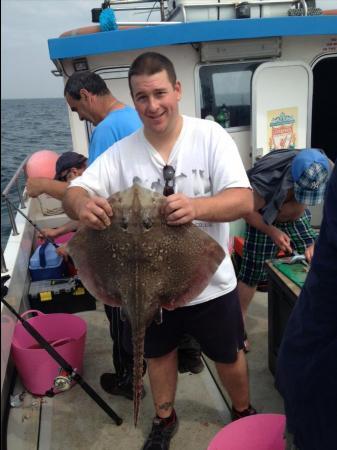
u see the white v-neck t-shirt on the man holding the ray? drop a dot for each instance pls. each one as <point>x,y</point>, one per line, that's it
<point>206,161</point>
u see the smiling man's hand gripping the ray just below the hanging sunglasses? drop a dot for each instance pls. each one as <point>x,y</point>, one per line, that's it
<point>179,209</point>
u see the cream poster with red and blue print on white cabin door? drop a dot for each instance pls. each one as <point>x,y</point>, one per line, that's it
<point>282,128</point>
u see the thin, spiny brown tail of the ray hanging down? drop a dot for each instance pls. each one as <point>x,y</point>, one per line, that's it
<point>138,357</point>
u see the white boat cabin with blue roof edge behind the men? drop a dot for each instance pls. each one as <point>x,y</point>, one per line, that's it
<point>267,79</point>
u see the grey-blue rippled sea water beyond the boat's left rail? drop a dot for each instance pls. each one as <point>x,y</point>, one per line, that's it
<point>29,125</point>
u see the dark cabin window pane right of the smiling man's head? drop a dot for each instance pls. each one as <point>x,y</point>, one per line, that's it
<point>225,93</point>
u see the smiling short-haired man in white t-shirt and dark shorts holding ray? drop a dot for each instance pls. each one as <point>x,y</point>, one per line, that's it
<point>200,163</point>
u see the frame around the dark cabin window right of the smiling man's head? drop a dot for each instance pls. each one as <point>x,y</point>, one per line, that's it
<point>197,82</point>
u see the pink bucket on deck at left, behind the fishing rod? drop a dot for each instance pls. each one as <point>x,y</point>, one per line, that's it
<point>37,369</point>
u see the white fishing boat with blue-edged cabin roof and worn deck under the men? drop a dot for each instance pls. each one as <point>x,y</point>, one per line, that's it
<point>265,70</point>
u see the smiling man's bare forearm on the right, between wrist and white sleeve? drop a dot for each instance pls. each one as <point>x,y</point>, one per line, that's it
<point>228,205</point>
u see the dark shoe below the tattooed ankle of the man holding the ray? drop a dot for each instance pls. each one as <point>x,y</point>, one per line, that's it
<point>161,434</point>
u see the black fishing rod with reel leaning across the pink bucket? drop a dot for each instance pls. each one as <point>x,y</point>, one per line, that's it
<point>62,382</point>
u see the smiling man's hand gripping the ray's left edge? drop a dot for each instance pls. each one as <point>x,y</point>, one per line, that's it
<point>95,212</point>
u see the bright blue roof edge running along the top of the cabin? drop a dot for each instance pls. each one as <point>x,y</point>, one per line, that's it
<point>191,32</point>
